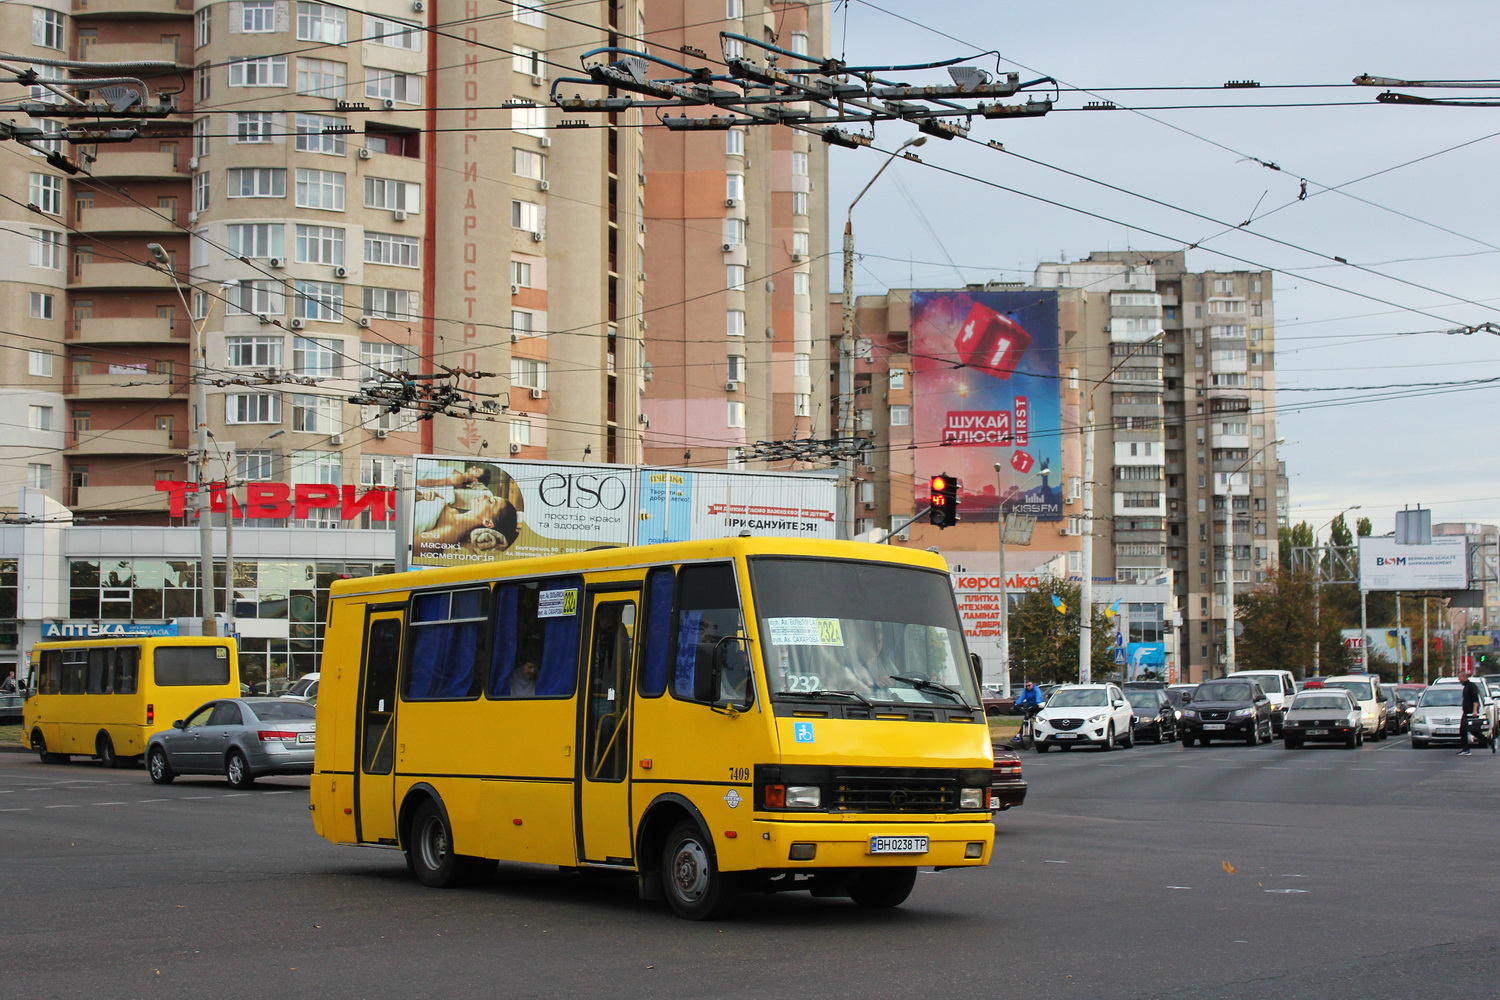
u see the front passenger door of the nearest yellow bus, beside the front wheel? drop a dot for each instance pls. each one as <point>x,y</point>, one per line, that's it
<point>605,836</point>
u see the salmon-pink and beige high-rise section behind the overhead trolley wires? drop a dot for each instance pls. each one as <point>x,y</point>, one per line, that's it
<point>737,242</point>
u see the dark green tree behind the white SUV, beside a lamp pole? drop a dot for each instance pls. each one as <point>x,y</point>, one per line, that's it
<point>1045,645</point>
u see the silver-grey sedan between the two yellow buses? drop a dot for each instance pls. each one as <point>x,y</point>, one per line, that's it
<point>241,738</point>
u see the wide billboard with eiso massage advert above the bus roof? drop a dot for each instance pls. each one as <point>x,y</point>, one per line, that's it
<point>470,510</point>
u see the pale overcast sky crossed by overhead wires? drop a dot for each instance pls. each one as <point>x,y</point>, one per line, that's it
<point>1426,229</point>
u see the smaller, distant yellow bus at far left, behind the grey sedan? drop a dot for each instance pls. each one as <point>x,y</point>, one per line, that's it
<point>104,698</point>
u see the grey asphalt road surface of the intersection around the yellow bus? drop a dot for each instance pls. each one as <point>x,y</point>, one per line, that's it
<point>1159,872</point>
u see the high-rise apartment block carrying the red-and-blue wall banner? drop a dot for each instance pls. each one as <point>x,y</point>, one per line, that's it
<point>1171,374</point>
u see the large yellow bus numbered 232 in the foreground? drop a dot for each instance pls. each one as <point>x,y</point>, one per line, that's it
<point>712,717</point>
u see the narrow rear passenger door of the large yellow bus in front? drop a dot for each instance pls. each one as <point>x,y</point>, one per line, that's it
<point>376,795</point>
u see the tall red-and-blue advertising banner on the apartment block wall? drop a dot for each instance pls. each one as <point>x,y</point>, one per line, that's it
<point>989,392</point>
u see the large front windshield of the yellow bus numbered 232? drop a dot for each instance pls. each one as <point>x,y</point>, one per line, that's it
<point>865,630</point>
